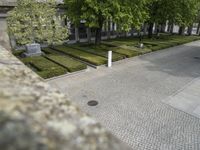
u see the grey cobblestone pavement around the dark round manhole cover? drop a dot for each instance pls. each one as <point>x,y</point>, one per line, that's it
<point>131,96</point>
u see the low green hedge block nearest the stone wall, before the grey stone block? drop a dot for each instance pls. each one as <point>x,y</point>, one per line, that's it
<point>44,67</point>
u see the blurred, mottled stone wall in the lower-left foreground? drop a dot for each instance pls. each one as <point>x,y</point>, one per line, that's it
<point>34,116</point>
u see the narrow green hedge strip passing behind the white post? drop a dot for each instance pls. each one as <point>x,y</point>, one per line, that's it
<point>96,50</point>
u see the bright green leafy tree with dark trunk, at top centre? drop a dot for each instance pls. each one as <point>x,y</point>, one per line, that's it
<point>125,13</point>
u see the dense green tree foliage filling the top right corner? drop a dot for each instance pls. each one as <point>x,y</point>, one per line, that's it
<point>181,12</point>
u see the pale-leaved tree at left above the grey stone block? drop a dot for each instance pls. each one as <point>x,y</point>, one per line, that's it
<point>32,21</point>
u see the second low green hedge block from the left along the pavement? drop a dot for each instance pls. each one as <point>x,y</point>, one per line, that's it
<point>69,63</point>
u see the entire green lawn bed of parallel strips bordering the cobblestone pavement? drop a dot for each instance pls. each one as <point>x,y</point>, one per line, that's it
<point>59,60</point>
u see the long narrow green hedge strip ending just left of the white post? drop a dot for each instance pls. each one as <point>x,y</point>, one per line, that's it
<point>87,57</point>
